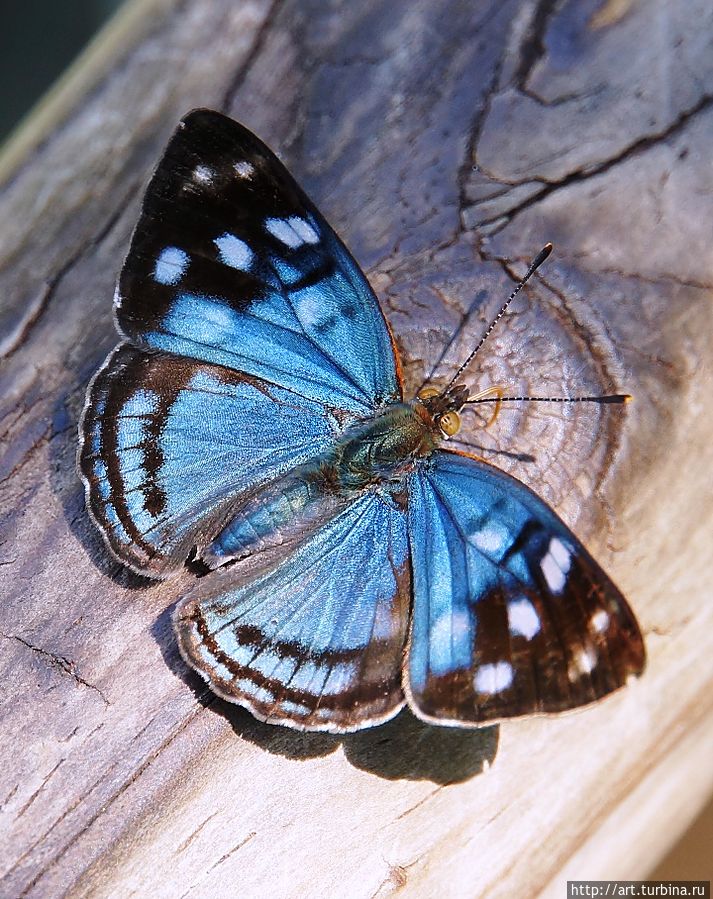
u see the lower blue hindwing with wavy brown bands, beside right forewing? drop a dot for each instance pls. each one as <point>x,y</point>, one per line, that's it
<point>315,642</point>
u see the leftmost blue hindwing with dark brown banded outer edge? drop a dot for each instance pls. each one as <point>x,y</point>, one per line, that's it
<point>167,444</point>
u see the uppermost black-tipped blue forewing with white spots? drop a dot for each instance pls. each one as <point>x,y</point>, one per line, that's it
<point>232,264</point>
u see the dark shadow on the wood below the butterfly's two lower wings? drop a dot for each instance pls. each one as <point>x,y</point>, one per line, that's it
<point>404,748</point>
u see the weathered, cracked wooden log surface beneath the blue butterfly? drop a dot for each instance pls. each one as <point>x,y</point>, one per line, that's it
<point>446,141</point>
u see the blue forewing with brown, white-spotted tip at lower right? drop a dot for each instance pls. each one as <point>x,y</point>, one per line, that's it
<point>511,614</point>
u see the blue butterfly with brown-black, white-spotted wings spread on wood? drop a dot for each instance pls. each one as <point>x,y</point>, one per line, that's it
<point>252,423</point>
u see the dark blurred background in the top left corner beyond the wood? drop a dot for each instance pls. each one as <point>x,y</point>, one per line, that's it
<point>38,40</point>
